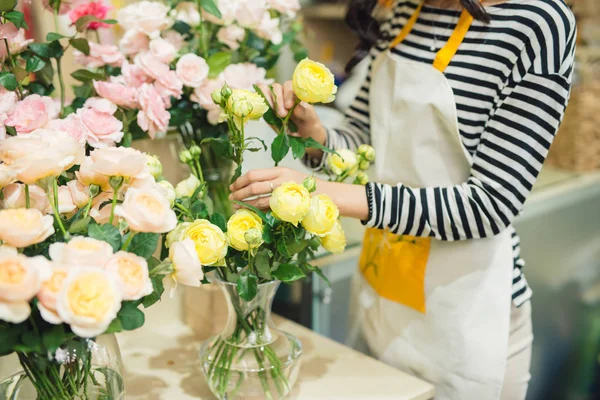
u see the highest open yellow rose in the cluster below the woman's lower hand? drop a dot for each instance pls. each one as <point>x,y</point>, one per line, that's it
<point>290,202</point>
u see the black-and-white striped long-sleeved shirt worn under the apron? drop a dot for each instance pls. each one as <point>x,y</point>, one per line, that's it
<point>511,81</point>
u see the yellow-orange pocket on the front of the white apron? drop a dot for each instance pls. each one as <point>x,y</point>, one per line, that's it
<point>395,266</point>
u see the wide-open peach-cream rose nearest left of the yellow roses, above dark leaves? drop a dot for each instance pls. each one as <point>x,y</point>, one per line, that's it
<point>147,210</point>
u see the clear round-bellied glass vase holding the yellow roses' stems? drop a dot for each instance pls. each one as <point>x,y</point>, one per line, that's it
<point>250,359</point>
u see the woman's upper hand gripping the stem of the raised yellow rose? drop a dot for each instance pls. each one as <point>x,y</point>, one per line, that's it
<point>305,117</point>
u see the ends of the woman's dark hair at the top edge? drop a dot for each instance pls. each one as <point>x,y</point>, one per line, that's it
<point>359,19</point>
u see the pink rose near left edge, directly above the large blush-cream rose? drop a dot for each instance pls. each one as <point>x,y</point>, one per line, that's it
<point>32,113</point>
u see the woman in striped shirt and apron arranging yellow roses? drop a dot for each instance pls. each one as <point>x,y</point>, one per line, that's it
<point>461,104</point>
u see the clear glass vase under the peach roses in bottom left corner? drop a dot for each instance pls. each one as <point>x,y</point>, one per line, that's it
<point>80,369</point>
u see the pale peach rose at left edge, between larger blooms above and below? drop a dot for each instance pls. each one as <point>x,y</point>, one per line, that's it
<point>21,227</point>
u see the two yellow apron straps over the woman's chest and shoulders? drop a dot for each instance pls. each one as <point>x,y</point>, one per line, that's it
<point>446,53</point>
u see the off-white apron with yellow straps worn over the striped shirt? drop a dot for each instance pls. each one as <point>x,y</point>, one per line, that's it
<point>459,339</point>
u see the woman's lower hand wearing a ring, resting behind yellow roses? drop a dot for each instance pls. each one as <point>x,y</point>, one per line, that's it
<point>261,182</point>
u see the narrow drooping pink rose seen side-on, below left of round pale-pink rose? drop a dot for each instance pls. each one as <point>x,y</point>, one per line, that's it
<point>153,116</point>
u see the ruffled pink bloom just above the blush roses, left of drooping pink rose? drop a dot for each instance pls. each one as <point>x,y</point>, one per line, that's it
<point>97,116</point>
